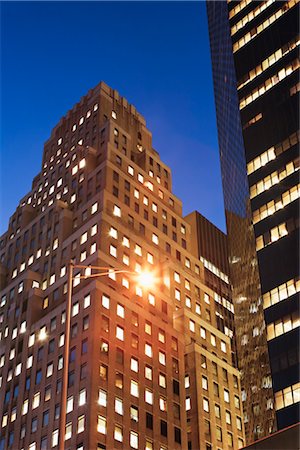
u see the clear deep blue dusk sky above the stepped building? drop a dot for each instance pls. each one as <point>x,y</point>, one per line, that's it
<point>156,54</point>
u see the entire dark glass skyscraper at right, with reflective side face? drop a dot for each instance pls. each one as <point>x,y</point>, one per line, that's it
<point>255,58</point>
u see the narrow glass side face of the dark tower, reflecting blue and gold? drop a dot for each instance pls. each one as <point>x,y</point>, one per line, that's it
<point>253,357</point>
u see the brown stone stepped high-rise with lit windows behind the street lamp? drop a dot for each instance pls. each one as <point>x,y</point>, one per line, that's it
<point>148,368</point>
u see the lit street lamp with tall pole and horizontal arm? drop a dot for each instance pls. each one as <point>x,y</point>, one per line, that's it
<point>145,279</point>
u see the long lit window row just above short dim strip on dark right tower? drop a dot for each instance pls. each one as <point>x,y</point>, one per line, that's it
<point>269,83</point>
